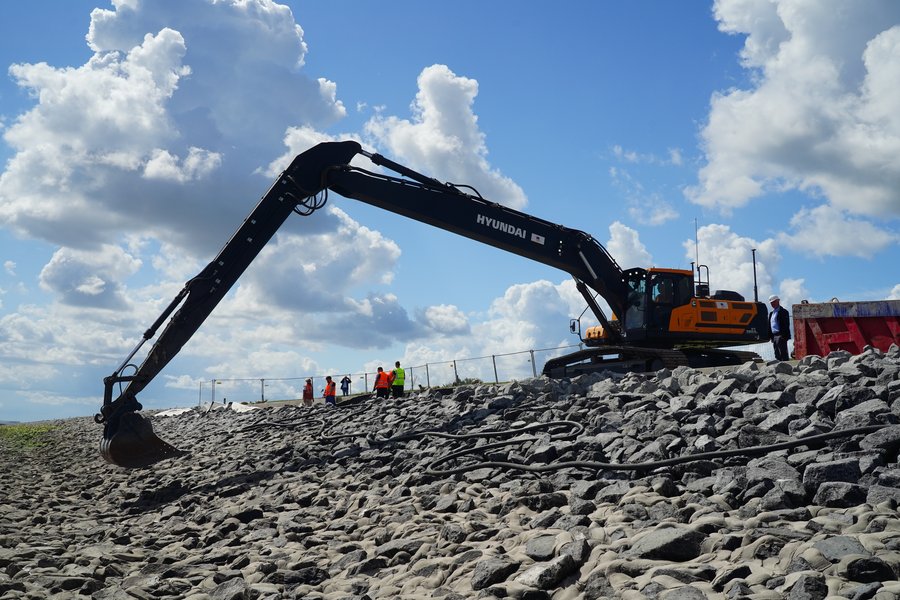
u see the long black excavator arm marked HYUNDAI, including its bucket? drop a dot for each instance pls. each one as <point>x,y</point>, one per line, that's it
<point>128,439</point>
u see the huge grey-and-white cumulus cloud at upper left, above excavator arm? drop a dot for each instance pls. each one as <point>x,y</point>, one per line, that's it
<point>159,130</point>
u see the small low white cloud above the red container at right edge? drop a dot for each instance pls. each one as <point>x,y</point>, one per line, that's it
<point>828,231</point>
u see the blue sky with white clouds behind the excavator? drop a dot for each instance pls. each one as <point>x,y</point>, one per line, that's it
<point>136,135</point>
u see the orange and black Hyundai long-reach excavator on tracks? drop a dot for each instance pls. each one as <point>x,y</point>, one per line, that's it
<point>659,317</point>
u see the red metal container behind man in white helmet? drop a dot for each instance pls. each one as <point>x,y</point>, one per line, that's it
<point>824,327</point>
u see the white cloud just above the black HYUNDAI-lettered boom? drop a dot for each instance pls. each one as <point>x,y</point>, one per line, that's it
<point>443,139</point>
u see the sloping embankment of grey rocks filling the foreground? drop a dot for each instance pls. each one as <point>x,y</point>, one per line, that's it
<point>339,503</point>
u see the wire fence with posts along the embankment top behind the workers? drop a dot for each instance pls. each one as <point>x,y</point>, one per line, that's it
<point>488,369</point>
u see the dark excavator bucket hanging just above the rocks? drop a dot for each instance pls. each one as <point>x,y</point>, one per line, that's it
<point>134,445</point>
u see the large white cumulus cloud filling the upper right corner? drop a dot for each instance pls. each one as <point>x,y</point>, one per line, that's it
<point>822,114</point>
